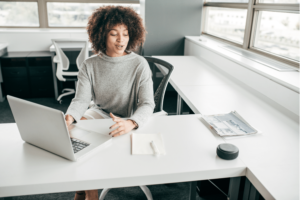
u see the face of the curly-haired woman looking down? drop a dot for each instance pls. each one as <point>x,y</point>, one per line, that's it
<point>117,40</point>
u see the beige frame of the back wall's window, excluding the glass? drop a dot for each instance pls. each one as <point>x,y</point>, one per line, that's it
<point>43,12</point>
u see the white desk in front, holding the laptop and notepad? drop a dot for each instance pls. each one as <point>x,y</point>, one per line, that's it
<point>191,155</point>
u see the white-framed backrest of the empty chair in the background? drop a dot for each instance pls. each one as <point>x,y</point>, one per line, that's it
<point>63,59</point>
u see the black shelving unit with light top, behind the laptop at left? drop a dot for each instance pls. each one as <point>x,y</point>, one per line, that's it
<point>27,74</point>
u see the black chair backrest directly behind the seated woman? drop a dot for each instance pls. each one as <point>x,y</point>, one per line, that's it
<point>166,70</point>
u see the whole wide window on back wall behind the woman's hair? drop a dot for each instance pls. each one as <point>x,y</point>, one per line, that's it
<point>53,13</point>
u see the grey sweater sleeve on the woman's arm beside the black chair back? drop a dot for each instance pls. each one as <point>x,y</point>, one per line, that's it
<point>146,103</point>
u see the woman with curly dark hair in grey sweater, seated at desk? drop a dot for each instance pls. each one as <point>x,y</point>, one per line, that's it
<point>118,80</point>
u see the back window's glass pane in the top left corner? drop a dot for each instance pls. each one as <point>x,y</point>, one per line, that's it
<point>19,14</point>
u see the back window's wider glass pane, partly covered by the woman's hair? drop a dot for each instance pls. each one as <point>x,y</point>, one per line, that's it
<point>75,14</point>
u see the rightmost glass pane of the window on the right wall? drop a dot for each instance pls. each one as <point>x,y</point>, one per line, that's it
<point>279,33</point>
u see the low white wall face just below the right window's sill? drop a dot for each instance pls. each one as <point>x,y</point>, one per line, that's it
<point>283,96</point>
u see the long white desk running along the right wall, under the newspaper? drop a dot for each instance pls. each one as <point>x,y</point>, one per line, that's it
<point>265,155</point>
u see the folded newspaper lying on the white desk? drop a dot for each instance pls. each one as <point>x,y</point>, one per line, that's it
<point>230,124</point>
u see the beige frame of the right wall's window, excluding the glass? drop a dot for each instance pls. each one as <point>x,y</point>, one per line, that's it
<point>253,7</point>
